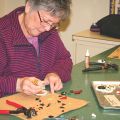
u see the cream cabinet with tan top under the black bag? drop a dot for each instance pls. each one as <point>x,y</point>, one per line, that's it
<point>94,41</point>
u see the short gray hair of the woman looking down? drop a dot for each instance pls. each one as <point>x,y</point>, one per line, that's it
<point>59,8</point>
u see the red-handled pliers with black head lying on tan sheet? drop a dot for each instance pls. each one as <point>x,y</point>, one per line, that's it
<point>20,109</point>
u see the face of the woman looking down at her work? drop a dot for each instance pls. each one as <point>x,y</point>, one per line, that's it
<point>36,22</point>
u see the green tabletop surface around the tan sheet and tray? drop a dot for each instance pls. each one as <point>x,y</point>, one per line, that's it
<point>83,81</point>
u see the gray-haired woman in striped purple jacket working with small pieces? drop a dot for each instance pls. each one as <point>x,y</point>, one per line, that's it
<point>31,49</point>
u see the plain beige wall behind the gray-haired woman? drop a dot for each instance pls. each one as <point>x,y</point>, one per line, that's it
<point>84,13</point>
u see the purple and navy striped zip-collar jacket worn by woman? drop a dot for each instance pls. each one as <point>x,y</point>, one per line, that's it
<point>18,58</point>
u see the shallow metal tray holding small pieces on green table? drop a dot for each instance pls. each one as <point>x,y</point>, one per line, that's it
<point>107,93</point>
